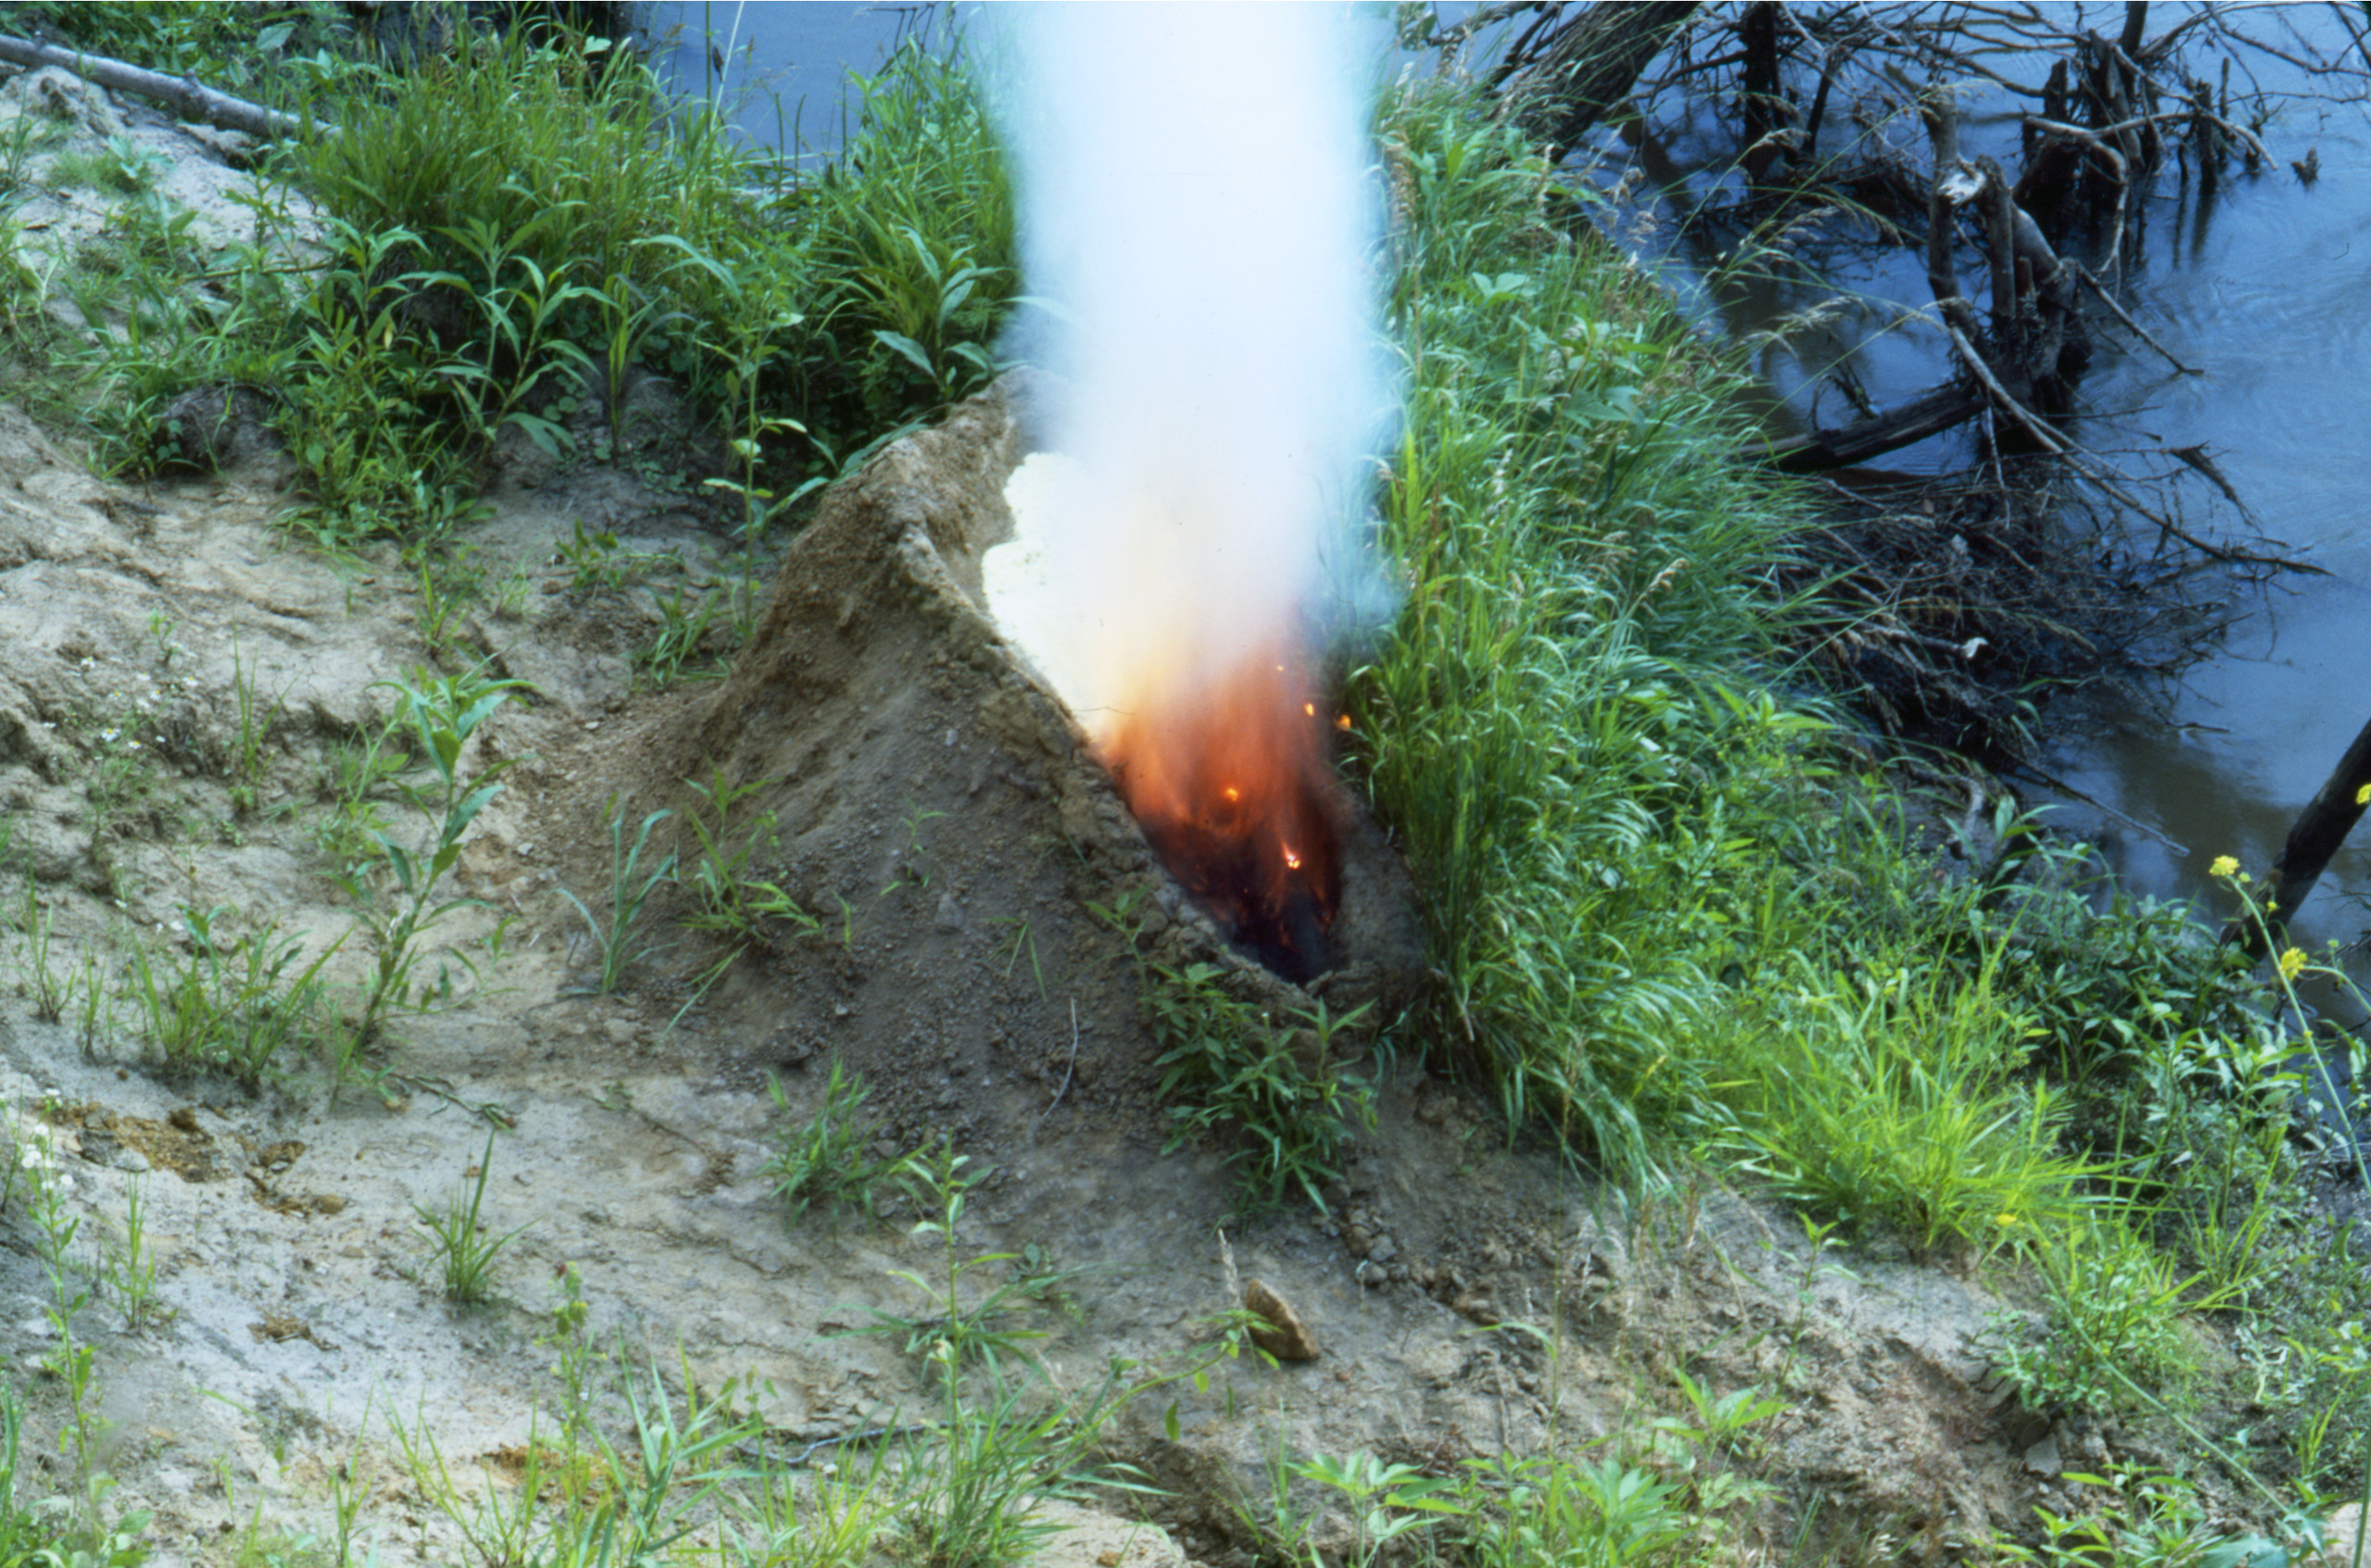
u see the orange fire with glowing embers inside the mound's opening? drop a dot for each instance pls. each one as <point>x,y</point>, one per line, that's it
<point>1234,789</point>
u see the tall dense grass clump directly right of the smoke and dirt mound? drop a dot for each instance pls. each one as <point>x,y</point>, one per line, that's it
<point>1566,727</point>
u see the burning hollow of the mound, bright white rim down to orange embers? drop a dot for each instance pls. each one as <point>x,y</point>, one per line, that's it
<point>1227,770</point>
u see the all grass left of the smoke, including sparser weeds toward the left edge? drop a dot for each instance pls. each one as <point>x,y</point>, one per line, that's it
<point>516,231</point>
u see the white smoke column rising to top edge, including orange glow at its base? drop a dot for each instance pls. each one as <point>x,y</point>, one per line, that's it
<point>1199,222</point>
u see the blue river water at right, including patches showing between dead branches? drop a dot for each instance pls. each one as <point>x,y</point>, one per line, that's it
<point>2268,291</point>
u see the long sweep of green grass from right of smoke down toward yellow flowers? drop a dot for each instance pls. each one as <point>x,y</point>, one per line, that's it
<point>1666,914</point>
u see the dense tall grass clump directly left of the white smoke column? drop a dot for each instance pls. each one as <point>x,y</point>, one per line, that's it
<point>810,314</point>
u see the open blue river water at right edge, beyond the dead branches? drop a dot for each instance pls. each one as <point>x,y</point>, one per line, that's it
<point>2270,298</point>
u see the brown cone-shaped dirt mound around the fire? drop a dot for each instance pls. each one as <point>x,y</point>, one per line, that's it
<point>971,867</point>
